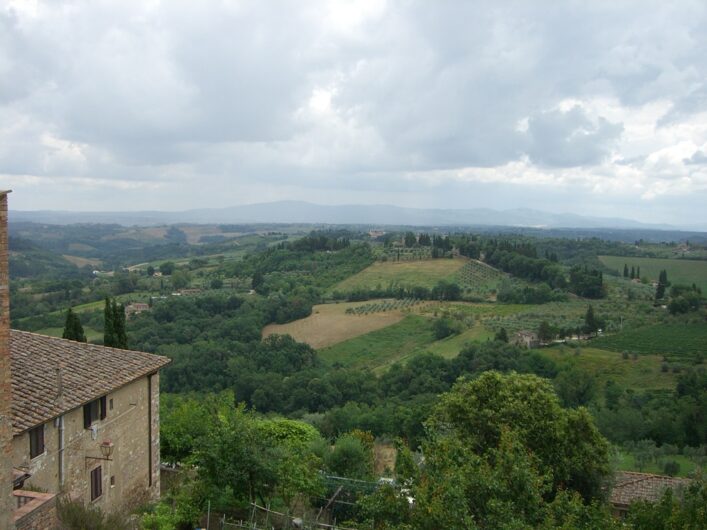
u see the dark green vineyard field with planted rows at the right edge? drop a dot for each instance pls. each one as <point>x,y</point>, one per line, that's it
<point>675,341</point>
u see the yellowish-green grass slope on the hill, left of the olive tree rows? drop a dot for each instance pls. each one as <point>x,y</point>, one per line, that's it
<point>423,273</point>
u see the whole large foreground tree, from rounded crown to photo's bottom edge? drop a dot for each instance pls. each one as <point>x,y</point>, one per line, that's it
<point>502,453</point>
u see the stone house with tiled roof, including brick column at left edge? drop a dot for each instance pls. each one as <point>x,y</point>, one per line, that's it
<point>77,420</point>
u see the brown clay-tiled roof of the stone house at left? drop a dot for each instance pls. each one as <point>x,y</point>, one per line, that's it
<point>88,371</point>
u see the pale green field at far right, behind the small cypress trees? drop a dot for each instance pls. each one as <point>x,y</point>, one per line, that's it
<point>680,271</point>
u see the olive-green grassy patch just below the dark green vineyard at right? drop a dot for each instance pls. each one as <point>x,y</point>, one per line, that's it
<point>642,373</point>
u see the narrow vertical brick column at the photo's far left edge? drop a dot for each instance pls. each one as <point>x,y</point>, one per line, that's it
<point>7,503</point>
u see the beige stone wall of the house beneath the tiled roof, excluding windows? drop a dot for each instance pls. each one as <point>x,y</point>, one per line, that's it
<point>134,431</point>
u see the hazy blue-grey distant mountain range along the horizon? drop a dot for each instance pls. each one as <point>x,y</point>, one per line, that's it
<point>308,213</point>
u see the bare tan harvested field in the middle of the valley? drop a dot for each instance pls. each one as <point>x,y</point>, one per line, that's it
<point>329,324</point>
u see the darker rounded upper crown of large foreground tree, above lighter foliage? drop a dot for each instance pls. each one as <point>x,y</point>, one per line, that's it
<point>568,447</point>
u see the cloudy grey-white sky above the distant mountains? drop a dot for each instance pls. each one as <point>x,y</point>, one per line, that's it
<point>598,108</point>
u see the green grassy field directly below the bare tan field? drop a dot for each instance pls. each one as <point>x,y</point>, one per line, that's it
<point>379,349</point>
